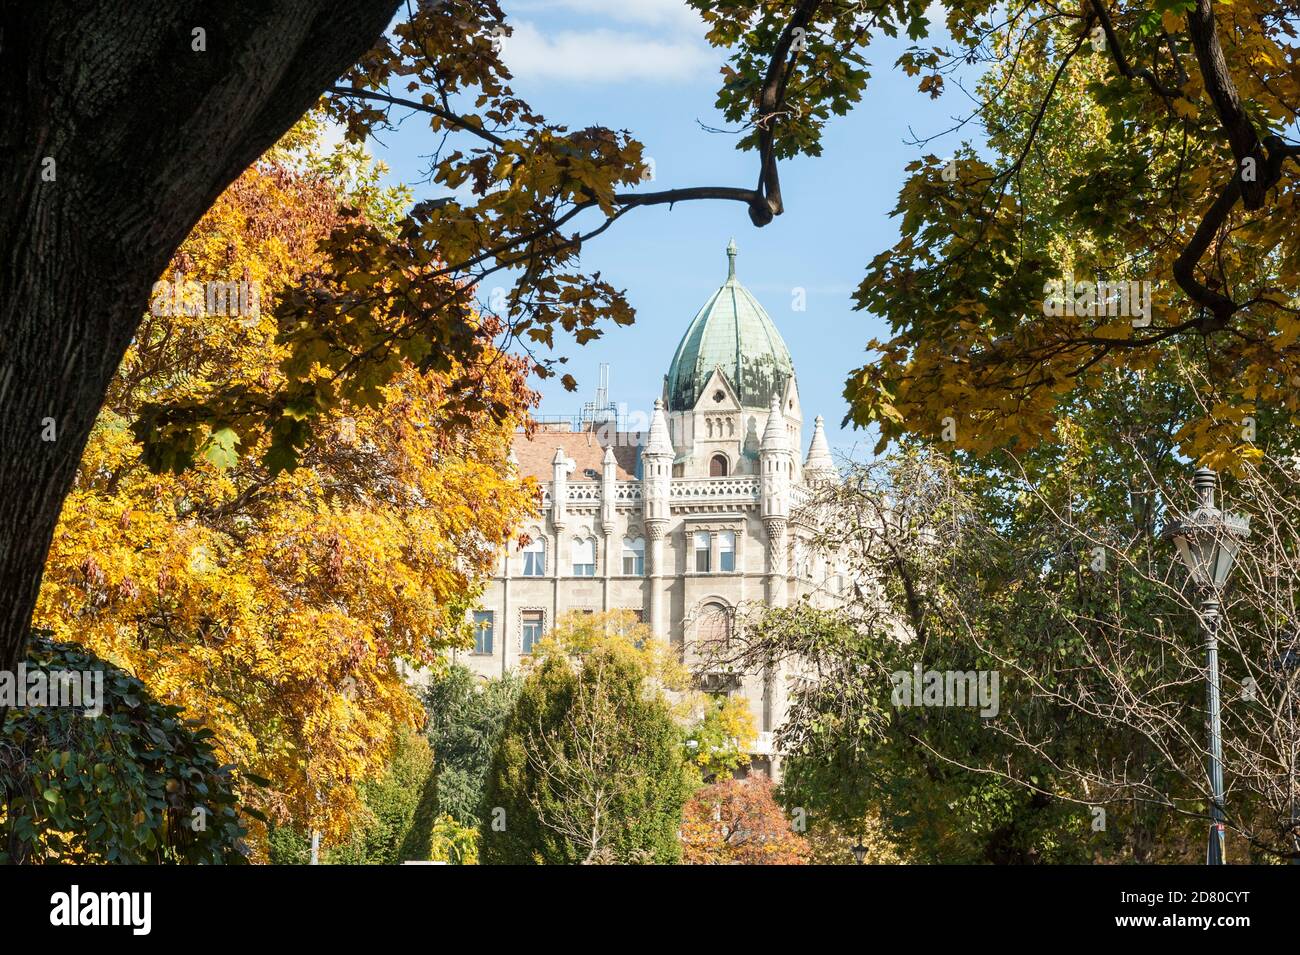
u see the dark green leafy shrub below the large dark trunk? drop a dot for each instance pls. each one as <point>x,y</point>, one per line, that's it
<point>137,784</point>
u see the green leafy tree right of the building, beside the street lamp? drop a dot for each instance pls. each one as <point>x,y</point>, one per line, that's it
<point>956,572</point>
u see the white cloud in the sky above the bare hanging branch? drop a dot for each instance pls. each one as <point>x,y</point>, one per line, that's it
<point>605,57</point>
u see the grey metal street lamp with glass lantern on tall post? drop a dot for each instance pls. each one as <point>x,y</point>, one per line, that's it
<point>1208,542</point>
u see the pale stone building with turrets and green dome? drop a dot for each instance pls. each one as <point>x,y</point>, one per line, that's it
<point>682,523</point>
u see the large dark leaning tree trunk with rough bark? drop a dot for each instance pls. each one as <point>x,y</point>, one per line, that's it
<point>145,133</point>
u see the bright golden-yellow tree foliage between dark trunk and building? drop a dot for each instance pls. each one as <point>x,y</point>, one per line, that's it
<point>283,611</point>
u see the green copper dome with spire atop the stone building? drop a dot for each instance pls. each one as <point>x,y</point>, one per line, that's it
<point>735,333</point>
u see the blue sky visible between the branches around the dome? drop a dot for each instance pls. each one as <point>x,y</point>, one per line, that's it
<point>644,66</point>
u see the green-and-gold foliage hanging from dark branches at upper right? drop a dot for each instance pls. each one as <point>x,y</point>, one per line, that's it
<point>1176,237</point>
